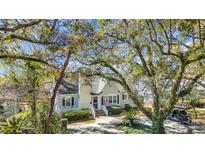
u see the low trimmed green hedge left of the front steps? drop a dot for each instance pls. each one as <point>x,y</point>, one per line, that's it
<point>77,115</point>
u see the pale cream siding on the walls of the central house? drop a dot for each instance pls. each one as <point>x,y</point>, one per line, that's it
<point>83,99</point>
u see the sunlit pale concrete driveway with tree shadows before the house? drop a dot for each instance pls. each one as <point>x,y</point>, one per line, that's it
<point>107,125</point>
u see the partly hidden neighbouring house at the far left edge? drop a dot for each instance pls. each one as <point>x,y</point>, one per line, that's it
<point>8,100</point>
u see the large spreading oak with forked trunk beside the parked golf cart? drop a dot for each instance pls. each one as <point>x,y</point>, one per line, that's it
<point>163,58</point>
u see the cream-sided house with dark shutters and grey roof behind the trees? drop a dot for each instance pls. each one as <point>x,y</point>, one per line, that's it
<point>95,95</point>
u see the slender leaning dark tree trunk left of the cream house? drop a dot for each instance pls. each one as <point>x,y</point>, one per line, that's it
<point>55,90</point>
